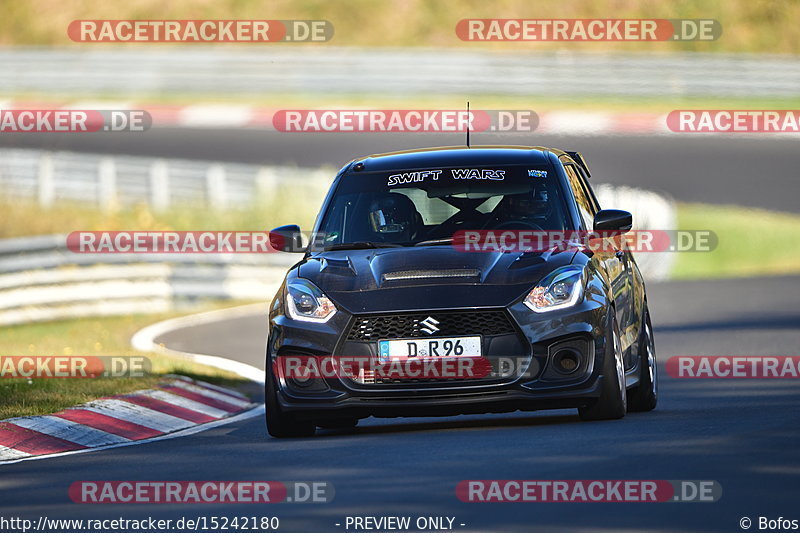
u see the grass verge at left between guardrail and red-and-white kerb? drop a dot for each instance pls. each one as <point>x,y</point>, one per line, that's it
<point>88,337</point>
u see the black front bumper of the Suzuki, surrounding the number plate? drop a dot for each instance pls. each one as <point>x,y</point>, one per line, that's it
<point>535,385</point>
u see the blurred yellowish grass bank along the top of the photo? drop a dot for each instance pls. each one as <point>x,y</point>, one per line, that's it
<point>763,26</point>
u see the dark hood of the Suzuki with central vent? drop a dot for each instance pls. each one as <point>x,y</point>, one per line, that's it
<point>435,277</point>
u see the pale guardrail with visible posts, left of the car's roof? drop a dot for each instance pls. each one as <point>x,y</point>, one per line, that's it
<point>108,181</point>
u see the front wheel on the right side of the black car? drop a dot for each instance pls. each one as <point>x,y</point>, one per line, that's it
<point>612,402</point>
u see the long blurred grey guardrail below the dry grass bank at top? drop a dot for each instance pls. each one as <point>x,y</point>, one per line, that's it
<point>326,70</point>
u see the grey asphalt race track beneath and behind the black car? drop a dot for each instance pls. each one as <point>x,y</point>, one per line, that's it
<point>742,433</point>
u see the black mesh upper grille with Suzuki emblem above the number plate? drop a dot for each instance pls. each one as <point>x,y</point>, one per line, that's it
<point>449,324</point>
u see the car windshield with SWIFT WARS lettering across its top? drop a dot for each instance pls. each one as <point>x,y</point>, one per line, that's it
<point>426,207</point>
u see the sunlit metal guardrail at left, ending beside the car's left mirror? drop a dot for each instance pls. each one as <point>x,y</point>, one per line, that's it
<point>40,279</point>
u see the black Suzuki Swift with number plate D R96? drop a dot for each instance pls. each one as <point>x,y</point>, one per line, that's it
<point>392,312</point>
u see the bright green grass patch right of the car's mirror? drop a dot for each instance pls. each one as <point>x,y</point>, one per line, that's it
<point>751,242</point>
